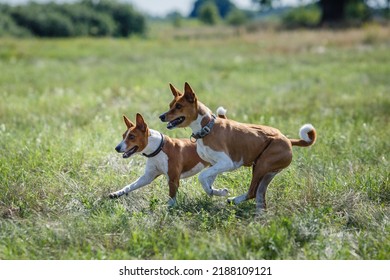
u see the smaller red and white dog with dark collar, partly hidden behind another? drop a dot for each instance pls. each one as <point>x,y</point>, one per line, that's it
<point>175,158</point>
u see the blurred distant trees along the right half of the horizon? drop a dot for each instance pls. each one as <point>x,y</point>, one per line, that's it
<point>316,13</point>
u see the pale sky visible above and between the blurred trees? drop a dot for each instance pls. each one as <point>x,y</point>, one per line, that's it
<point>163,7</point>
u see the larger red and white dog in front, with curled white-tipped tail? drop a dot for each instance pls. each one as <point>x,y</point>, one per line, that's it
<point>227,145</point>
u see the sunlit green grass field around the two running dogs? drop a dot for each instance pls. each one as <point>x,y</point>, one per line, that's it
<point>61,117</point>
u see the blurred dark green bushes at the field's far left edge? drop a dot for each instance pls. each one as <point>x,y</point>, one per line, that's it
<point>83,18</point>
